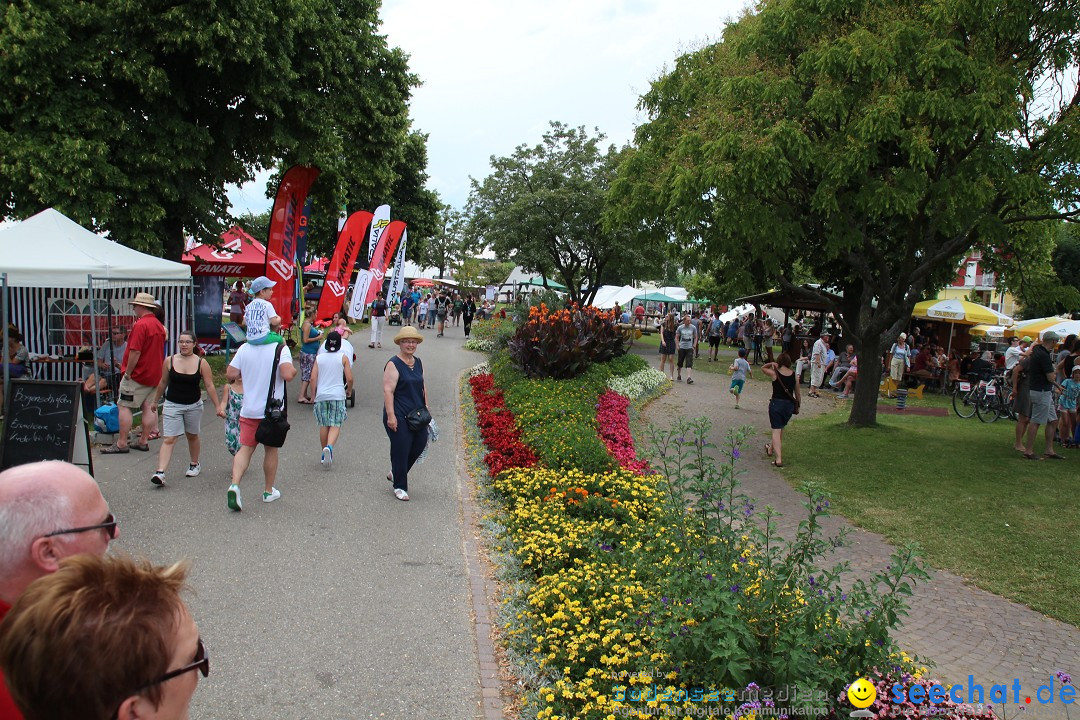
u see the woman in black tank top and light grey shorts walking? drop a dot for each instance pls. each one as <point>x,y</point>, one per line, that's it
<point>182,415</point>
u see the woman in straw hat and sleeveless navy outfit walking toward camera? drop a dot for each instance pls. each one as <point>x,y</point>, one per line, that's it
<point>403,393</point>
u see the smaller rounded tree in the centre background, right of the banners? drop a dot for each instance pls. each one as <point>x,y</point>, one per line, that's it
<point>544,208</point>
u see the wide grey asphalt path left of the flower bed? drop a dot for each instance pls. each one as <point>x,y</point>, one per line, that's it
<point>337,601</point>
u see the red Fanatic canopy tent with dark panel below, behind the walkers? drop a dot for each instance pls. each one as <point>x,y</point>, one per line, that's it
<point>238,256</point>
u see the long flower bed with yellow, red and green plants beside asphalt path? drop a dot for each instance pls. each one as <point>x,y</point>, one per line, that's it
<point>669,580</point>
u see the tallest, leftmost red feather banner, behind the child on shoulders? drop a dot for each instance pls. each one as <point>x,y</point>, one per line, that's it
<point>288,224</point>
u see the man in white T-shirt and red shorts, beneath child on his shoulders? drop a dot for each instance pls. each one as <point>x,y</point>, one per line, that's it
<point>253,364</point>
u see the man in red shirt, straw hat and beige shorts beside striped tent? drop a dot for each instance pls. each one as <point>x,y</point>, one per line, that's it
<point>142,369</point>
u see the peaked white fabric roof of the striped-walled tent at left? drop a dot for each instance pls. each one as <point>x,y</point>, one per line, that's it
<point>51,251</point>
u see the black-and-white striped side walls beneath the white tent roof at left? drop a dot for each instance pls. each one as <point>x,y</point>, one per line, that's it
<point>59,321</point>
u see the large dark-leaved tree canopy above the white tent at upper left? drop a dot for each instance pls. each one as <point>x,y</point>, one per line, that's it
<point>133,118</point>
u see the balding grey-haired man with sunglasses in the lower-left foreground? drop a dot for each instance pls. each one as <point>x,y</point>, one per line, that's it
<point>49,511</point>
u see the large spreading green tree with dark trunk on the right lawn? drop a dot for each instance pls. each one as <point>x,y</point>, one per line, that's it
<point>870,144</point>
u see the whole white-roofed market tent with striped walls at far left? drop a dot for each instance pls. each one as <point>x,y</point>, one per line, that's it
<point>64,288</point>
